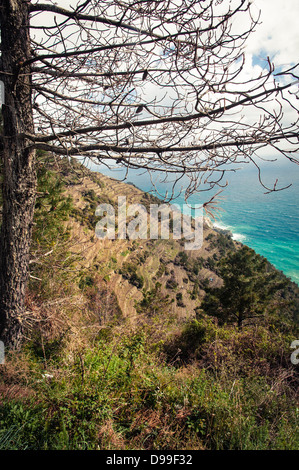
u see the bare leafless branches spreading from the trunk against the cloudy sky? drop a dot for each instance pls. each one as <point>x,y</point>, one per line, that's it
<point>158,86</point>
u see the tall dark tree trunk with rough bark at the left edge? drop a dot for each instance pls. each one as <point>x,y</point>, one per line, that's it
<point>19,176</point>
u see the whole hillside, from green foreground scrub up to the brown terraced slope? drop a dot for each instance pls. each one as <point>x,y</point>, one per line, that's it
<point>129,344</point>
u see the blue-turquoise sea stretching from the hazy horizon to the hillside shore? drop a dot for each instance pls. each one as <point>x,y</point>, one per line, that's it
<point>266,222</point>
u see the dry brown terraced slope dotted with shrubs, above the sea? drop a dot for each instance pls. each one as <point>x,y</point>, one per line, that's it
<point>132,267</point>
